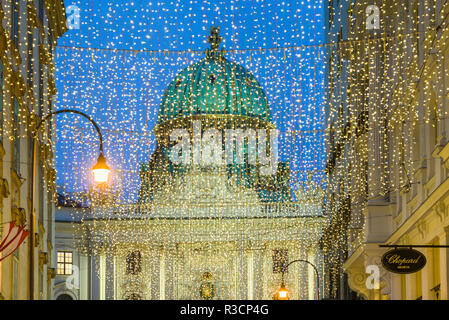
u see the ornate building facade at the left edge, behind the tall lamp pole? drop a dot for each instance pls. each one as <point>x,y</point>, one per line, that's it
<point>28,33</point>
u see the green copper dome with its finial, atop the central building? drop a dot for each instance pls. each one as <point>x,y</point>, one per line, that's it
<point>214,86</point>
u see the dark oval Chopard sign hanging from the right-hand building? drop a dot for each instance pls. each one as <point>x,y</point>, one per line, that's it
<point>403,261</point>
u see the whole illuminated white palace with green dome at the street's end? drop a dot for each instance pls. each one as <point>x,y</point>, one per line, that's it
<point>206,229</point>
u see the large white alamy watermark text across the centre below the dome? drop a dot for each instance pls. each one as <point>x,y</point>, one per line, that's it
<point>240,146</point>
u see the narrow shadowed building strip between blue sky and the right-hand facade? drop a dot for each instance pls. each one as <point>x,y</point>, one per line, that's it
<point>337,79</point>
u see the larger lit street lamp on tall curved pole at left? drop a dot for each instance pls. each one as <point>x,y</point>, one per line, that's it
<point>100,172</point>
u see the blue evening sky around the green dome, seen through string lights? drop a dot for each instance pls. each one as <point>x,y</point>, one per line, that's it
<point>117,66</point>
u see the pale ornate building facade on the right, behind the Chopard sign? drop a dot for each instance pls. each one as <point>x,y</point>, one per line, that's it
<point>388,146</point>
